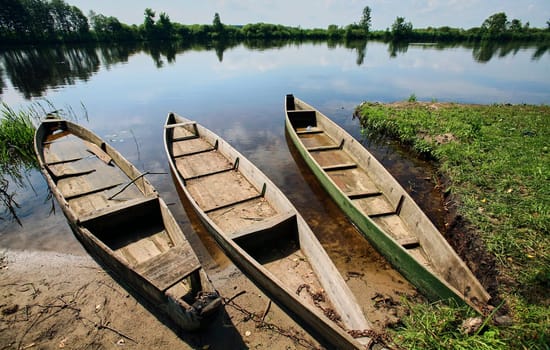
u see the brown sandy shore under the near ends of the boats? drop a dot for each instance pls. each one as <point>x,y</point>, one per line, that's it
<point>52,300</point>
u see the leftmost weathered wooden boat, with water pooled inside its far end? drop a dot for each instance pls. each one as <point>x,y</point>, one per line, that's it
<point>120,219</point>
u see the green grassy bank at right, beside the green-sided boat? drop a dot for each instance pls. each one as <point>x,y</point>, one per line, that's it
<point>496,161</point>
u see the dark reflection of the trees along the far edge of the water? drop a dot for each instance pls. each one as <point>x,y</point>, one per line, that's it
<point>34,70</point>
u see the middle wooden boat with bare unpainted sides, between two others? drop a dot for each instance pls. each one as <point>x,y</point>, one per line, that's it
<point>263,234</point>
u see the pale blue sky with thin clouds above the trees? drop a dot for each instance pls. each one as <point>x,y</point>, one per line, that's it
<point>321,13</point>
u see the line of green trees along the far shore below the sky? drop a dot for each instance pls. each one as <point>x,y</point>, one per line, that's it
<point>35,21</point>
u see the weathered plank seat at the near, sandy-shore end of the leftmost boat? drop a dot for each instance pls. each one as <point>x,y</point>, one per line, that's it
<point>169,267</point>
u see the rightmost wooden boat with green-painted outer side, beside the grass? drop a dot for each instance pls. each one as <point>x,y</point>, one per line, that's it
<point>380,207</point>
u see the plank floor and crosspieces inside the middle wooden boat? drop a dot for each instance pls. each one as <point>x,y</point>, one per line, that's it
<point>241,211</point>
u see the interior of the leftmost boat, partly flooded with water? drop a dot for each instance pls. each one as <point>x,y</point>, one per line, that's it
<point>110,206</point>
